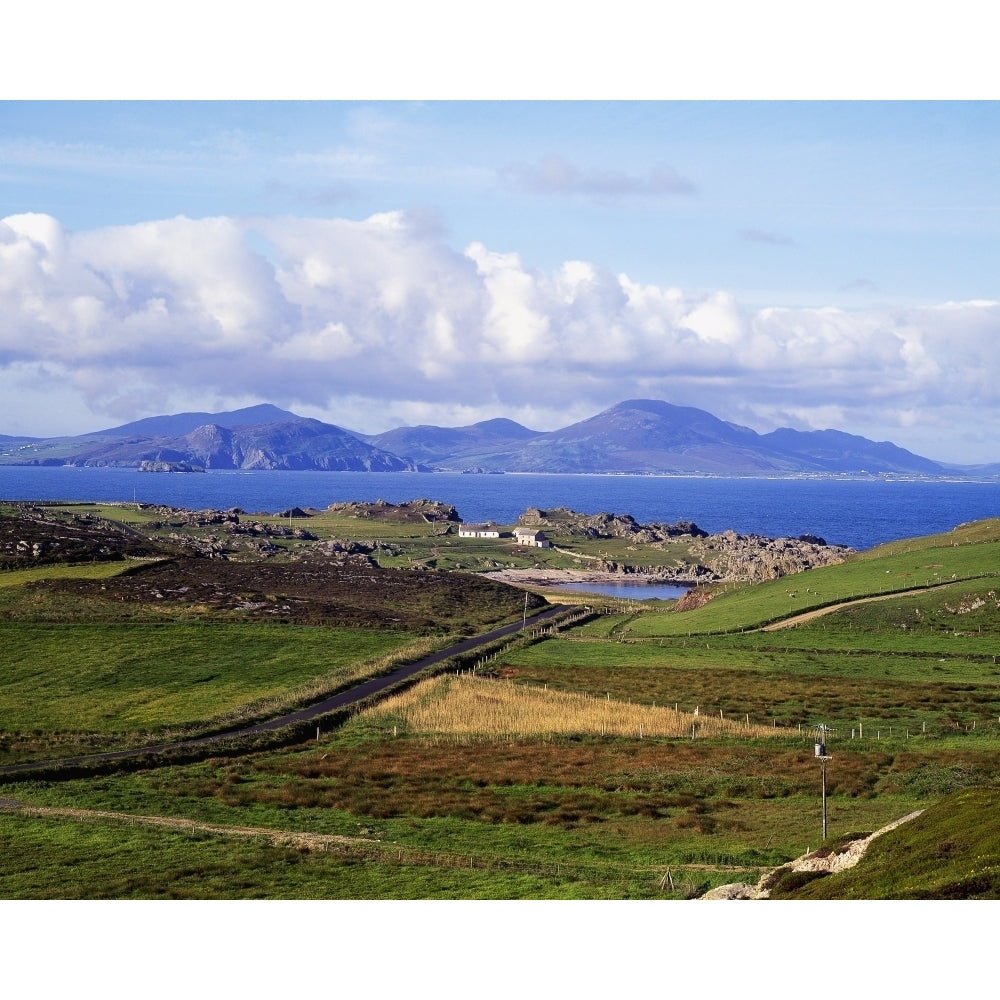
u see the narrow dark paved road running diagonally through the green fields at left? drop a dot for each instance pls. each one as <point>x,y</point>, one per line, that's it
<point>348,697</point>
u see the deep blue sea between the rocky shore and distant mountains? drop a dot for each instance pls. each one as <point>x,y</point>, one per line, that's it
<point>856,512</point>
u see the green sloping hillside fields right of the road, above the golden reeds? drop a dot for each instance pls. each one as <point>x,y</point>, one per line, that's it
<point>916,664</point>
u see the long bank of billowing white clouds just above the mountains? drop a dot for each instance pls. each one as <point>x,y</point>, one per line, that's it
<point>378,321</point>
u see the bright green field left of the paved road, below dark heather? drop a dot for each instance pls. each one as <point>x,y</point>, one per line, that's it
<point>102,678</point>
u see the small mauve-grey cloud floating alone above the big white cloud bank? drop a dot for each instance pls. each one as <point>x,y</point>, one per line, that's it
<point>555,175</point>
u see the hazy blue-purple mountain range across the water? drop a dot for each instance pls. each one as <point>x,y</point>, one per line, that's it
<point>638,436</point>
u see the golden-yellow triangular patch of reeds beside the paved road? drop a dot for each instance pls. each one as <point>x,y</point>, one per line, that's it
<point>473,707</point>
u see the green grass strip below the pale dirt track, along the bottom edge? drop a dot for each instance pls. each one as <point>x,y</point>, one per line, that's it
<point>114,860</point>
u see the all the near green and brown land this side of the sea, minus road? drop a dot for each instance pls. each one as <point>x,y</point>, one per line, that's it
<point>624,749</point>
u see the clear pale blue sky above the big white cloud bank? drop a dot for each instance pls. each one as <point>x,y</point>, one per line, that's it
<point>794,203</point>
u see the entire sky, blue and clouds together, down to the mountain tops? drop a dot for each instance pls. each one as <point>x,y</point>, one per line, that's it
<point>375,262</point>
